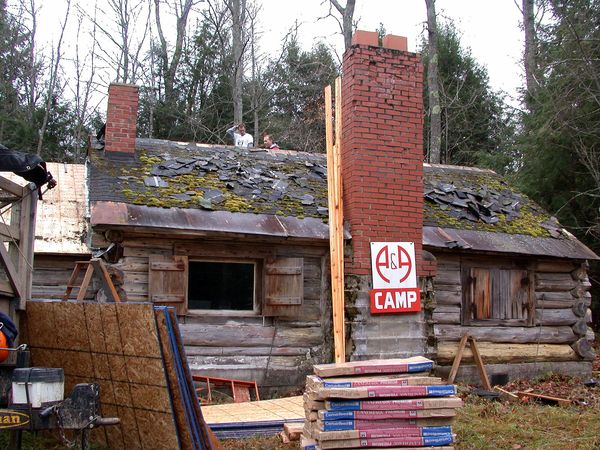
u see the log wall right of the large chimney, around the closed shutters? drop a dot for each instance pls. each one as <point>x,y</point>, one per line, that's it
<point>562,315</point>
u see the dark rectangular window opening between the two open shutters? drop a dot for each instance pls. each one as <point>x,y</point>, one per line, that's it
<point>221,285</point>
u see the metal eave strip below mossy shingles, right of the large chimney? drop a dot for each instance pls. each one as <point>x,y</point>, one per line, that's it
<point>567,246</point>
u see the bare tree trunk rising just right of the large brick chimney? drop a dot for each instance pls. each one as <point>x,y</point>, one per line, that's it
<point>435,117</point>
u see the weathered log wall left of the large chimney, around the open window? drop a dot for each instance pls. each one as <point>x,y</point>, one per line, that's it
<point>277,352</point>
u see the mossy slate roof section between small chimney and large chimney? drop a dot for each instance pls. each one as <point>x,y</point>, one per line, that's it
<point>168,174</point>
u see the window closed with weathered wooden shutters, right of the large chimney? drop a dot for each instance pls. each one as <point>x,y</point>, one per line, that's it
<point>496,295</point>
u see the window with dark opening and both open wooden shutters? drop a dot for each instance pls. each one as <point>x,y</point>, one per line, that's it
<point>271,286</point>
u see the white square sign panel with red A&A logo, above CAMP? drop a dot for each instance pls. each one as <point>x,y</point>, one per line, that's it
<point>393,264</point>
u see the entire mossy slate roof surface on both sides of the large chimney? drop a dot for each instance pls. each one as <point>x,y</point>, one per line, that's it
<point>168,174</point>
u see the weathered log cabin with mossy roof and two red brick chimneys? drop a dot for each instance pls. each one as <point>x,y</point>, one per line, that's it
<point>237,241</point>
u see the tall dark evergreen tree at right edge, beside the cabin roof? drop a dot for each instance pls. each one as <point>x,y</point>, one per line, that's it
<point>561,135</point>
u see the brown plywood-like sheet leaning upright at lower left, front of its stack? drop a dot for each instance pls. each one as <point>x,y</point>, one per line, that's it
<point>116,346</point>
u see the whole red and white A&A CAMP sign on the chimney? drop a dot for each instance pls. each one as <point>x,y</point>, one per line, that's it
<point>394,278</point>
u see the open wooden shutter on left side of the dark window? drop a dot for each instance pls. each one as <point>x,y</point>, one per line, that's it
<point>168,281</point>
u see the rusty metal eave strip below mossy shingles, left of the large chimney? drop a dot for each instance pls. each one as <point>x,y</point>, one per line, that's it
<point>125,216</point>
